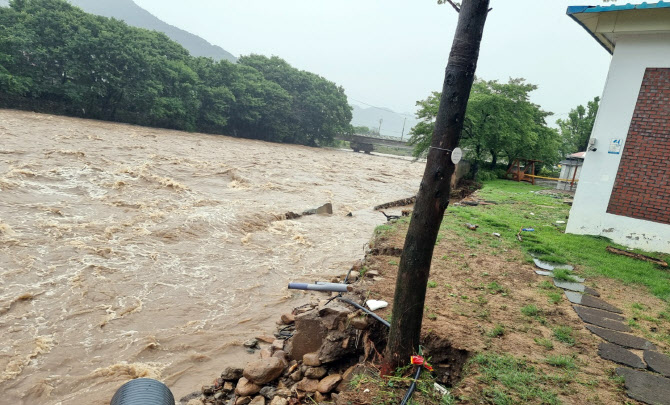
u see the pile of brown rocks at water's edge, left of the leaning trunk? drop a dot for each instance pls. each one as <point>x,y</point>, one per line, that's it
<point>314,365</point>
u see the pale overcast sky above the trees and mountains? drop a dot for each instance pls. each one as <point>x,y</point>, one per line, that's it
<point>392,53</point>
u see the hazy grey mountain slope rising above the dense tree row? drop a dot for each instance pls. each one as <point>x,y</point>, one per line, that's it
<point>136,16</point>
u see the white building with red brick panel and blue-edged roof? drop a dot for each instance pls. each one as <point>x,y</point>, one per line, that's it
<point>624,186</point>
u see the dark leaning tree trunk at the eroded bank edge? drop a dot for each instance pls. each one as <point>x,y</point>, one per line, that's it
<point>433,195</point>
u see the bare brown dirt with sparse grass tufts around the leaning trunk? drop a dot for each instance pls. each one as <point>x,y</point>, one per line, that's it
<point>473,290</point>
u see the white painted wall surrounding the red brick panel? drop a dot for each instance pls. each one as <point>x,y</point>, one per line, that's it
<point>632,56</point>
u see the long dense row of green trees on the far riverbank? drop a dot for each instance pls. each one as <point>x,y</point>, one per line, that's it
<point>56,58</point>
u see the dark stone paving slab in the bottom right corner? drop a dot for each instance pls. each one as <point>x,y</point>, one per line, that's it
<point>646,387</point>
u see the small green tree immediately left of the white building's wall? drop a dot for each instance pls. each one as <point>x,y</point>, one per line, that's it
<point>576,129</point>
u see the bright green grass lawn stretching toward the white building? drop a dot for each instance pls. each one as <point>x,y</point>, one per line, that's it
<point>518,205</point>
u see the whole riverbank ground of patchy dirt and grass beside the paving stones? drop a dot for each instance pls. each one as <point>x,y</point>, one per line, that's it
<point>524,342</point>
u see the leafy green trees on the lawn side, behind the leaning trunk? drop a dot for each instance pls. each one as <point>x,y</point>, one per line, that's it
<point>502,124</point>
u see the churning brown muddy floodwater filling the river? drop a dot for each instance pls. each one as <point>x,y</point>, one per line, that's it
<point>128,251</point>
